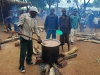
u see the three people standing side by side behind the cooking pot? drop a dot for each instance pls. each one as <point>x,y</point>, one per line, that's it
<point>67,24</point>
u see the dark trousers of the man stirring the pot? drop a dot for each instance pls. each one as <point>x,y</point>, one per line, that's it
<point>25,45</point>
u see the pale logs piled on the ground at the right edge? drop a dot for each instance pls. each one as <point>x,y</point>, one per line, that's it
<point>93,37</point>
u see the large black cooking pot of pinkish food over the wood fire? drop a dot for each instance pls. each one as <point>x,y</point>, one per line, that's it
<point>50,51</point>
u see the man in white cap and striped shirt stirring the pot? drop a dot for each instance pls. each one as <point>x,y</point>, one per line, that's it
<point>27,24</point>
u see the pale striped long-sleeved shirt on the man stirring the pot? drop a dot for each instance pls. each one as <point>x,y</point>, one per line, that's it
<point>29,25</point>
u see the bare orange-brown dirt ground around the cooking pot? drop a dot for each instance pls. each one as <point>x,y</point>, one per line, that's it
<point>84,64</point>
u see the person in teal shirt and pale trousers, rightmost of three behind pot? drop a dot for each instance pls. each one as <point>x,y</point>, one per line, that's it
<point>74,25</point>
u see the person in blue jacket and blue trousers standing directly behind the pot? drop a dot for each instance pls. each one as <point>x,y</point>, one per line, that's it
<point>51,24</point>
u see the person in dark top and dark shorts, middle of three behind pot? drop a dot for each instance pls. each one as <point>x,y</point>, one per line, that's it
<point>65,27</point>
